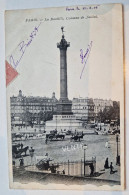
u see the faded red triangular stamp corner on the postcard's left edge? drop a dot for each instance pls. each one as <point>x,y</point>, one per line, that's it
<point>11,73</point>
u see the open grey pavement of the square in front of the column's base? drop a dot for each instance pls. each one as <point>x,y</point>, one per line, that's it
<point>63,150</point>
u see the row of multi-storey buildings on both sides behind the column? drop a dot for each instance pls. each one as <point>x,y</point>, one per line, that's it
<point>23,108</point>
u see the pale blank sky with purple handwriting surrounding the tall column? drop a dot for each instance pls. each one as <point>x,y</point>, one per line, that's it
<point>39,66</point>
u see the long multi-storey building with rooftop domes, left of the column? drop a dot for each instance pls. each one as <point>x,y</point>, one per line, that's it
<point>31,110</point>
